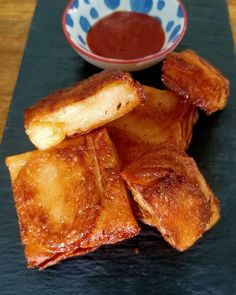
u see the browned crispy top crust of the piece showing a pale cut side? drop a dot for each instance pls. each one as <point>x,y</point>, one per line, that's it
<point>80,91</point>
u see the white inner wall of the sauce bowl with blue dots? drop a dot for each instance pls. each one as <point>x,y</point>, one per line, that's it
<point>82,14</point>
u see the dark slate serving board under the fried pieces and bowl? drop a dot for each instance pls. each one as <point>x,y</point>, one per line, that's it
<point>207,268</point>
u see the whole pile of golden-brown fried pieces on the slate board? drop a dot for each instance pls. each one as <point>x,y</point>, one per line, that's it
<point>69,194</point>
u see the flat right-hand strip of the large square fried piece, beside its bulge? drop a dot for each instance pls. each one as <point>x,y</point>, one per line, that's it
<point>115,221</point>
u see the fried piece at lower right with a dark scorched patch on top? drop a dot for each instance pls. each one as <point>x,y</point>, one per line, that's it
<point>172,195</point>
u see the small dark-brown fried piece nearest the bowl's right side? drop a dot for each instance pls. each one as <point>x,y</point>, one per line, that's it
<point>198,82</point>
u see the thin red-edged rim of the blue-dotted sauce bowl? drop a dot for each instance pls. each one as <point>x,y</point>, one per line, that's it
<point>99,58</point>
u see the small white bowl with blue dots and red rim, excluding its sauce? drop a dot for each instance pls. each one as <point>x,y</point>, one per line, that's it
<point>80,15</point>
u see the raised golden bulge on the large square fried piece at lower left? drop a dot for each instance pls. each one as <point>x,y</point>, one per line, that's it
<point>52,203</point>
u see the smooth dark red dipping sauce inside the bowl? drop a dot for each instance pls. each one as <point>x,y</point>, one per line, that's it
<point>126,35</point>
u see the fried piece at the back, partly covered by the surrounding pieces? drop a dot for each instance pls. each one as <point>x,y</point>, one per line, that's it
<point>162,118</point>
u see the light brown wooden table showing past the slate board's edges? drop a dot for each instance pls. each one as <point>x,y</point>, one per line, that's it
<point>15,19</point>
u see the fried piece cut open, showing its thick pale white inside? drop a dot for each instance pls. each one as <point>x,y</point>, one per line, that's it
<point>81,108</point>
